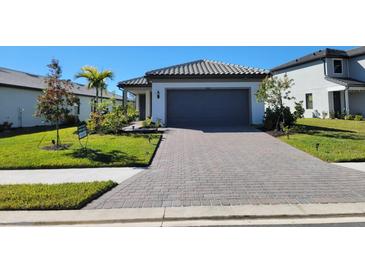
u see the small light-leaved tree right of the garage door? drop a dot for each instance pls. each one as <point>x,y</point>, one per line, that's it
<point>273,91</point>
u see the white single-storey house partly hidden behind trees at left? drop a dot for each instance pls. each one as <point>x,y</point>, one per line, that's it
<point>18,98</point>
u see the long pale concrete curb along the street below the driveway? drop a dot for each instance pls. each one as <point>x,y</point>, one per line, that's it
<point>285,214</point>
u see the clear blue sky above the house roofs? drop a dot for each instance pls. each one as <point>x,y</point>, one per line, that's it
<point>130,62</point>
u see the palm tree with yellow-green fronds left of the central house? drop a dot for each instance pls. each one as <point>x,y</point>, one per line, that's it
<point>96,79</point>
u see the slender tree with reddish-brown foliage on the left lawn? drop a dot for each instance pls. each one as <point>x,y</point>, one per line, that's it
<point>57,99</point>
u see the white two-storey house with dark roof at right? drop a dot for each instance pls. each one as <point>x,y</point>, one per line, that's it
<point>329,80</point>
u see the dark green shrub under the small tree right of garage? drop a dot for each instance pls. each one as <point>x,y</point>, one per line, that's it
<point>273,115</point>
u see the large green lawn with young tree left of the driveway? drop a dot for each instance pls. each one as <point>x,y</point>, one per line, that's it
<point>23,150</point>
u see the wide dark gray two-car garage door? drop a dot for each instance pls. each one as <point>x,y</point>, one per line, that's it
<point>226,107</point>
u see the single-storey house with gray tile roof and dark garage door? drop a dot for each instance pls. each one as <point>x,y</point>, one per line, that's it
<point>199,93</point>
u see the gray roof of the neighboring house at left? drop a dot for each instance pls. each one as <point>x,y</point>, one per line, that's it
<point>16,78</point>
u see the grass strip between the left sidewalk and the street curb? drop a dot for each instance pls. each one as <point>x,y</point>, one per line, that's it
<point>55,196</point>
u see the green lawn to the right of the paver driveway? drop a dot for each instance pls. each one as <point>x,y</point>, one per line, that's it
<point>339,140</point>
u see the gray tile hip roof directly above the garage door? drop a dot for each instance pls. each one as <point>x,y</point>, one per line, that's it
<point>207,68</point>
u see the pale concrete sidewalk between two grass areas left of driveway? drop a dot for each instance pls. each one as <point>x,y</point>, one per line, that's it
<point>53,176</point>
